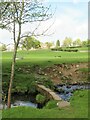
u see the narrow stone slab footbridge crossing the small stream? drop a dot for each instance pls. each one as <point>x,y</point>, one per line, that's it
<point>51,95</point>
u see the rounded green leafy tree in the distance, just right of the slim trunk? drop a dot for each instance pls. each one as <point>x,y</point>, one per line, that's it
<point>30,42</point>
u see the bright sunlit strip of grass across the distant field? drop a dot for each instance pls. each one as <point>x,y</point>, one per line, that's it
<point>43,56</point>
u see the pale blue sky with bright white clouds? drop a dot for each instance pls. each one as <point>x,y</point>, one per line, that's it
<point>70,20</point>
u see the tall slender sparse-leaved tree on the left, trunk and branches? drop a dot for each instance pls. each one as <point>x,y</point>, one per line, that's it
<point>13,16</point>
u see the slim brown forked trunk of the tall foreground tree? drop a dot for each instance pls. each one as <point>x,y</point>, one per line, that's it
<point>16,43</point>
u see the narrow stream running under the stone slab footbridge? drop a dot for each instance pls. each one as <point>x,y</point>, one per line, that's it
<point>64,91</point>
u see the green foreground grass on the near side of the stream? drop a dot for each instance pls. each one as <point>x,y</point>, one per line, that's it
<point>77,109</point>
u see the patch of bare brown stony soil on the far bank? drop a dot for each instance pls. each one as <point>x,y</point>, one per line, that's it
<point>66,73</point>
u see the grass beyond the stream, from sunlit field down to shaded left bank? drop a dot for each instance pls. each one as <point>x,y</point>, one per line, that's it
<point>43,58</point>
